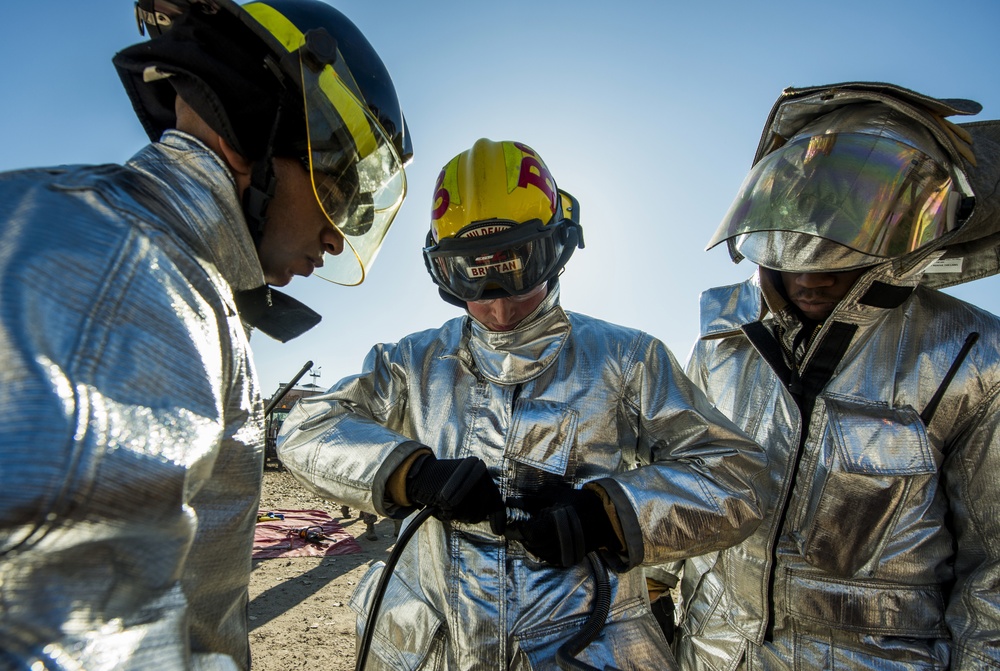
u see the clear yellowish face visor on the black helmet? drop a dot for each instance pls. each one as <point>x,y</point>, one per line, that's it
<point>356,172</point>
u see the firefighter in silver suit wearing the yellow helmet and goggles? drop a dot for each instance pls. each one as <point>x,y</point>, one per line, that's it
<point>589,432</point>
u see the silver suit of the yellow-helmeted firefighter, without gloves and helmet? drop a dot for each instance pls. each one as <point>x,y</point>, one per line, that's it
<point>564,397</point>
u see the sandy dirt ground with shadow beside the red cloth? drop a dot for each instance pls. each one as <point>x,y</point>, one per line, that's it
<point>299,617</point>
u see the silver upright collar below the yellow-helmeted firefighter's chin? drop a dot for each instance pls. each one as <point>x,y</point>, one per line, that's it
<point>515,357</point>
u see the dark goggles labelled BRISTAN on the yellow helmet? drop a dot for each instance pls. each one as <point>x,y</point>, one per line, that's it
<point>508,263</point>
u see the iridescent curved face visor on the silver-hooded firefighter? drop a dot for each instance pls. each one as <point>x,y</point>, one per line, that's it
<point>872,194</point>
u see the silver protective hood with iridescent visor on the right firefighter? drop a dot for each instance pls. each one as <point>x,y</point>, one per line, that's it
<point>959,226</point>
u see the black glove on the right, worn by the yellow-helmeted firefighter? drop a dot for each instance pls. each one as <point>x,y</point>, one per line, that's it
<point>563,526</point>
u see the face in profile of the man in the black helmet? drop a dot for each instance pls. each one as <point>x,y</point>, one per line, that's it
<point>297,233</point>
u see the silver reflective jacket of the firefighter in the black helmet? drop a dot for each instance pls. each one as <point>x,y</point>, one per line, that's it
<point>130,419</point>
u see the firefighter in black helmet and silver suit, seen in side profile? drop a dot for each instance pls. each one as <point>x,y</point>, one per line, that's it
<point>131,424</point>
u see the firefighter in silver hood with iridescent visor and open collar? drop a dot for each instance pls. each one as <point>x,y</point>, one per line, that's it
<point>876,396</point>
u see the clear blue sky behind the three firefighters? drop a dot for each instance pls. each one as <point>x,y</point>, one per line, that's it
<point>648,112</point>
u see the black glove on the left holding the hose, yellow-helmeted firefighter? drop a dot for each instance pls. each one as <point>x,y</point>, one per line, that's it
<point>457,489</point>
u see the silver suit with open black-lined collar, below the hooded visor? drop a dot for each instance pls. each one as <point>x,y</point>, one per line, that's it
<point>881,540</point>
